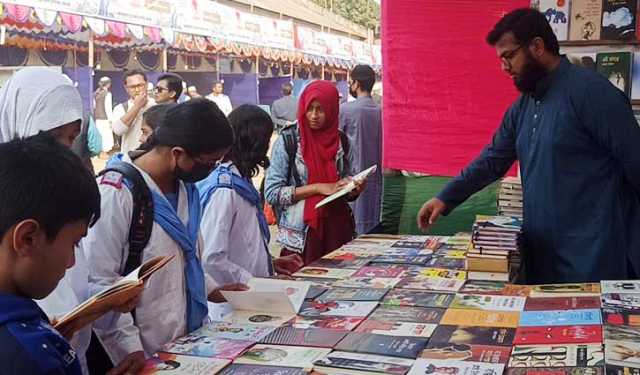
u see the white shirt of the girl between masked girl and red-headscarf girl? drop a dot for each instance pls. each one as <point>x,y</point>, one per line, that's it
<point>234,248</point>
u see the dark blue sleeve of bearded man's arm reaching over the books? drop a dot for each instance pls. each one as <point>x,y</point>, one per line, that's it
<point>494,161</point>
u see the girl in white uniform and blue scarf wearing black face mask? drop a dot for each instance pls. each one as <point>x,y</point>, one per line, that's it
<point>193,137</point>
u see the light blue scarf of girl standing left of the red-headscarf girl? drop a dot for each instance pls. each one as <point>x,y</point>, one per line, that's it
<point>223,177</point>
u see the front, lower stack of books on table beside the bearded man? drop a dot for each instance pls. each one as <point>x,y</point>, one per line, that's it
<point>494,249</point>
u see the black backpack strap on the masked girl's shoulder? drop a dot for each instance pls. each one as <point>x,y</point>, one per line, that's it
<point>142,217</point>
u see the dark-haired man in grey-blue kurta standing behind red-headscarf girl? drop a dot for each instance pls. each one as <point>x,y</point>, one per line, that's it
<point>361,121</point>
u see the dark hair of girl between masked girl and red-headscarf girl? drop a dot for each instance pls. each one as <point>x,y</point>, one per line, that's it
<point>253,128</point>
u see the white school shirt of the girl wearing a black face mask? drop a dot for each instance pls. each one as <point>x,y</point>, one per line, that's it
<point>161,314</point>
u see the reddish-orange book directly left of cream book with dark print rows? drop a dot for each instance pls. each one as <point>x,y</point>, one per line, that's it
<point>468,352</point>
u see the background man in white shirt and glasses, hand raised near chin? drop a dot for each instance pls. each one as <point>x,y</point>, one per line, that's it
<point>127,116</point>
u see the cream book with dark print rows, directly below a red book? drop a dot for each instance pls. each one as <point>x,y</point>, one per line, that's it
<point>561,355</point>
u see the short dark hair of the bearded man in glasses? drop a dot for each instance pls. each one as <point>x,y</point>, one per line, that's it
<point>526,24</point>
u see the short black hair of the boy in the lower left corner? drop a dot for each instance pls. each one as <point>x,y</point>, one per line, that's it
<point>43,180</point>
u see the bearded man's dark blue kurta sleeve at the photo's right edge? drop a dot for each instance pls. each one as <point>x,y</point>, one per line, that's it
<point>608,117</point>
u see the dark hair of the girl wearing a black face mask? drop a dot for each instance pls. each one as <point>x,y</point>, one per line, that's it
<point>198,126</point>
